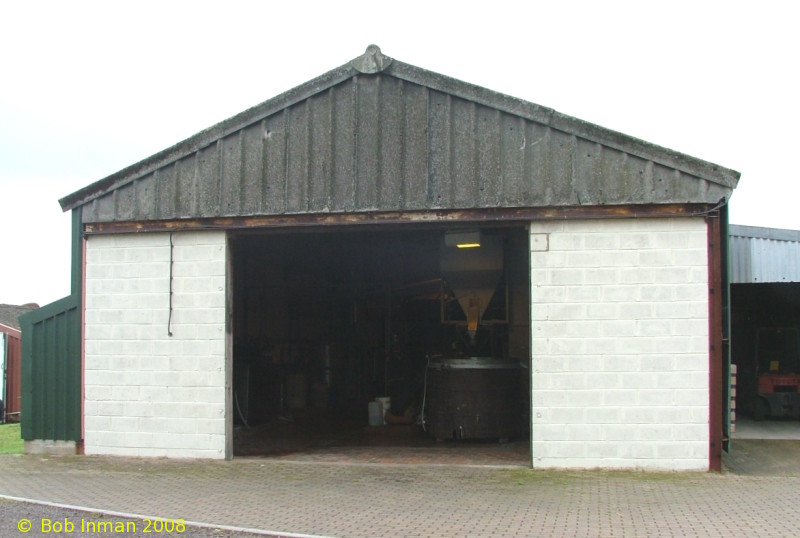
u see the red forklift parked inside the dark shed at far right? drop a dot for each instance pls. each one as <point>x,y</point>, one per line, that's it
<point>778,370</point>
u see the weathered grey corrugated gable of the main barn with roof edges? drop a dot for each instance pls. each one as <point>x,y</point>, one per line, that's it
<point>380,135</point>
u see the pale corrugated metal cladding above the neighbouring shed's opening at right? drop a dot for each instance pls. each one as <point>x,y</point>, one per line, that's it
<point>763,255</point>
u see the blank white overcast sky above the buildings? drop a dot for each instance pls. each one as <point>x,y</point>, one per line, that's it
<point>88,88</point>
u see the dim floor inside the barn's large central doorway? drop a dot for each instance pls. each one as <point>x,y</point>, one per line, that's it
<point>314,435</point>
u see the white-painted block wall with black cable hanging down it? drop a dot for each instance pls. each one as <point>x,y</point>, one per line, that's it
<point>148,393</point>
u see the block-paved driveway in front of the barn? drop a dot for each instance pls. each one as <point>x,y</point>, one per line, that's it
<point>351,499</point>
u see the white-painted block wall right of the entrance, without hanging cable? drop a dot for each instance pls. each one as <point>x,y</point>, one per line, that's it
<point>620,375</point>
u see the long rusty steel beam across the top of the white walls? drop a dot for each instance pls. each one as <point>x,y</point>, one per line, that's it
<point>482,215</point>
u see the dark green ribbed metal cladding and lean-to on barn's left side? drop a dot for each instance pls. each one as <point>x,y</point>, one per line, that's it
<point>52,360</point>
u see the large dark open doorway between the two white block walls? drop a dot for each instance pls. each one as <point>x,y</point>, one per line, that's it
<point>379,340</point>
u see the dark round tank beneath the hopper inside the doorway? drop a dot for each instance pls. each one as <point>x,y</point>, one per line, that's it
<point>473,398</point>
